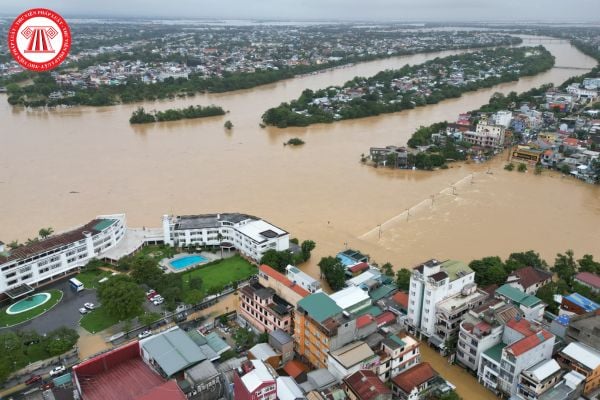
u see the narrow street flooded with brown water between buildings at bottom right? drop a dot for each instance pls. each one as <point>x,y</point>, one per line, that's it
<point>466,384</point>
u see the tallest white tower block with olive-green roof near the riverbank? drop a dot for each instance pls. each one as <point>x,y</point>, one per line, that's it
<point>430,283</point>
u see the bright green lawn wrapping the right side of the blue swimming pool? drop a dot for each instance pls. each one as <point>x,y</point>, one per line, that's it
<point>220,273</point>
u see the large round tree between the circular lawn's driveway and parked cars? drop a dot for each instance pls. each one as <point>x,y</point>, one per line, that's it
<point>123,298</point>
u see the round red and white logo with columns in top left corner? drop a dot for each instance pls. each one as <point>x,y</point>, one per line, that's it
<point>39,39</point>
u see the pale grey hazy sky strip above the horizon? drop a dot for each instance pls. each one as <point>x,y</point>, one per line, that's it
<point>456,10</point>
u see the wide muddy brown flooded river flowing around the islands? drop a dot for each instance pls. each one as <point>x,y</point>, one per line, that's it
<point>61,168</point>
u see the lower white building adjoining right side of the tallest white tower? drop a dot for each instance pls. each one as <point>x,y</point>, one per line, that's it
<point>450,312</point>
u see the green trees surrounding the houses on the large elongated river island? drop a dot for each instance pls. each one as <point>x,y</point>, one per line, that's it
<point>385,100</point>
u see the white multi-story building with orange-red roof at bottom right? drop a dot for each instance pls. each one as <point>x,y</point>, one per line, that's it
<point>524,344</point>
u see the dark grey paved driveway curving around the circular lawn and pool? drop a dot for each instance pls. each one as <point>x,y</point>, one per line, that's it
<point>65,313</point>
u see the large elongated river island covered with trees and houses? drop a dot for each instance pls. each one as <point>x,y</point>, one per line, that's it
<point>411,86</point>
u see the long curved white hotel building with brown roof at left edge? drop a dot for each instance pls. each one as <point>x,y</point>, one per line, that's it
<point>58,255</point>
